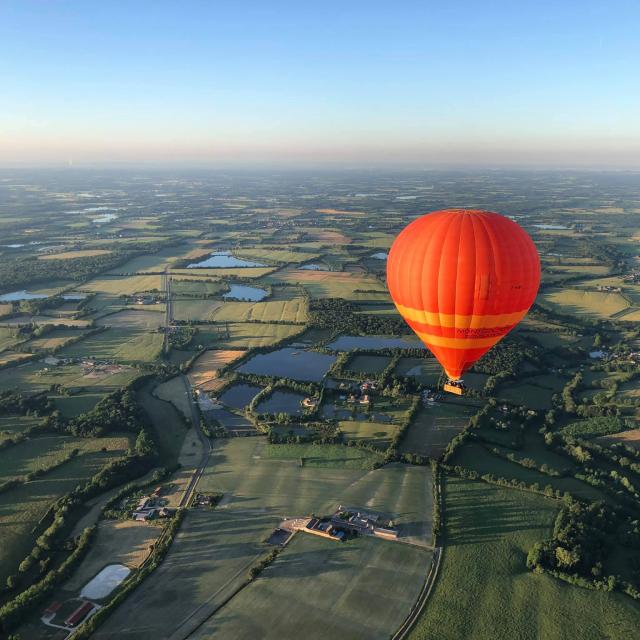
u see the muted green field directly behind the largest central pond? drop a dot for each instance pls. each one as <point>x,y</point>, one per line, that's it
<point>245,335</point>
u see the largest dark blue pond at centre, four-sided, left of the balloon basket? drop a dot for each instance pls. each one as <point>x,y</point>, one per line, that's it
<point>290,362</point>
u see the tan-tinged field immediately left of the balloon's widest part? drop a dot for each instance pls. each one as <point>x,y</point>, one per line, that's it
<point>328,284</point>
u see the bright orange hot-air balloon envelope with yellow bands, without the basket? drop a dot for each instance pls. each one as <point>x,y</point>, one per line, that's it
<point>462,279</point>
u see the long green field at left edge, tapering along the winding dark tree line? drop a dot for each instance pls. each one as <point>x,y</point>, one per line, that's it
<point>22,507</point>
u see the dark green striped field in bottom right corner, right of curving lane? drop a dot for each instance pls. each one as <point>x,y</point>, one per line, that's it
<point>484,589</point>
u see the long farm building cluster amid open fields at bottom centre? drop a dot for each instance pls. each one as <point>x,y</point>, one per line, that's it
<point>351,521</point>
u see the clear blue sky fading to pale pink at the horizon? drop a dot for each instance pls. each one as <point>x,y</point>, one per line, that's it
<point>333,82</point>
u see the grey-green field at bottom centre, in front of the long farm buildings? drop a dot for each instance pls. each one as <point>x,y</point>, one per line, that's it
<point>317,589</point>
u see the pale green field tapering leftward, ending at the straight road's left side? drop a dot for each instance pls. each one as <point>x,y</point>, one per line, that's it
<point>125,344</point>
